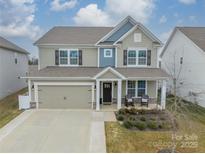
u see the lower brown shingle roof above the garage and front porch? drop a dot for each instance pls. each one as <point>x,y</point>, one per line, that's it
<point>56,71</point>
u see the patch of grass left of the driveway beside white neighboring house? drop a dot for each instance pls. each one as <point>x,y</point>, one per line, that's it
<point>9,107</point>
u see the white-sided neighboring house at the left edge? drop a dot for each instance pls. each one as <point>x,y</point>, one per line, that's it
<point>13,64</point>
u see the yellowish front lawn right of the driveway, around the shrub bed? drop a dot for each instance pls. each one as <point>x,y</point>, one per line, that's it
<point>190,134</point>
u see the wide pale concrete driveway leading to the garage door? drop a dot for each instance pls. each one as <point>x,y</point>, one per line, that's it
<point>51,131</point>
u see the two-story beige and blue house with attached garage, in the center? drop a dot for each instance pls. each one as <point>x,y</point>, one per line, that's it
<point>80,67</point>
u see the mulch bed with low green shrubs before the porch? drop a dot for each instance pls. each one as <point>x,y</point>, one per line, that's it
<point>135,119</point>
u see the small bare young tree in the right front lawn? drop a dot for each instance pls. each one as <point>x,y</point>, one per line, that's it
<point>174,69</point>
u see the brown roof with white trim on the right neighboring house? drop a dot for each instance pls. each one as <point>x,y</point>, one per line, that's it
<point>195,34</point>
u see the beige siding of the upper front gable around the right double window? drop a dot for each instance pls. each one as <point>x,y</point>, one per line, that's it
<point>128,42</point>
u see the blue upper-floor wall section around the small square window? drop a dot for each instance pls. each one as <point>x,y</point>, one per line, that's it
<point>107,61</point>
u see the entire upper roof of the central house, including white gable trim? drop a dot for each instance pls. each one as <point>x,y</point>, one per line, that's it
<point>71,35</point>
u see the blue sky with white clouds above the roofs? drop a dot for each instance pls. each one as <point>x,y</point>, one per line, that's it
<point>24,21</point>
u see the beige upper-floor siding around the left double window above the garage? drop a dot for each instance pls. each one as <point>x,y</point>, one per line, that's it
<point>47,56</point>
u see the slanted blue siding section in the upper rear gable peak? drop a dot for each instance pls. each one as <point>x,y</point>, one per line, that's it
<point>120,32</point>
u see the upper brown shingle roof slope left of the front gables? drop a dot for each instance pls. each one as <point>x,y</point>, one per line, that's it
<point>73,35</point>
